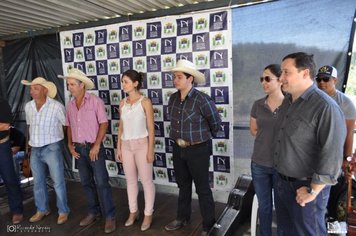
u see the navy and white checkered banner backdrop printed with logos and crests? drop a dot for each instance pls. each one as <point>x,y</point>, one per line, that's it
<point>153,47</point>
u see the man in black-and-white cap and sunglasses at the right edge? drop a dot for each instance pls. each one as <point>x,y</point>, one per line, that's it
<point>326,80</point>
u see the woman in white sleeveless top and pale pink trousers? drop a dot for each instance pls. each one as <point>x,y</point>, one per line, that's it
<point>135,146</point>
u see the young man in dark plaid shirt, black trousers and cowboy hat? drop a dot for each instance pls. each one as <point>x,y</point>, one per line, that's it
<point>194,120</point>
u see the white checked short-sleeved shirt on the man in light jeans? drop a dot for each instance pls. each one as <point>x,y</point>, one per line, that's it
<point>46,125</point>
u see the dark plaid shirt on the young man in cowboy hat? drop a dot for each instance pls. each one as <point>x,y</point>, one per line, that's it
<point>195,119</point>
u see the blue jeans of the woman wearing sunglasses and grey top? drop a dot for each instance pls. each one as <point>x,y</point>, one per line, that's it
<point>263,182</point>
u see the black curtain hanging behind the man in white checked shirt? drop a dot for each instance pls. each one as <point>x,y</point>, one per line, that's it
<point>26,59</point>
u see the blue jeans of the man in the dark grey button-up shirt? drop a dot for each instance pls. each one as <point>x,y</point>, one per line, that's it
<point>292,219</point>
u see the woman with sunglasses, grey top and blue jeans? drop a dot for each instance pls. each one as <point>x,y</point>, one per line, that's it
<point>263,116</point>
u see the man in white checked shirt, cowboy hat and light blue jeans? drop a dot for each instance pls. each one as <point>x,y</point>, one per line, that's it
<point>45,118</point>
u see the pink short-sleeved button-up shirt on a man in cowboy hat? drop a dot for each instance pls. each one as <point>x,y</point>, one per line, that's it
<point>84,122</point>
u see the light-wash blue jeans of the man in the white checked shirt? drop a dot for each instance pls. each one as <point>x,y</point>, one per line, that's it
<point>51,157</point>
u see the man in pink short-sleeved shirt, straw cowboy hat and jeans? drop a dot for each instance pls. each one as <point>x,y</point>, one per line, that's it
<point>87,123</point>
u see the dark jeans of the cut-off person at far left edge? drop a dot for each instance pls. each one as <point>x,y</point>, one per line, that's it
<point>10,178</point>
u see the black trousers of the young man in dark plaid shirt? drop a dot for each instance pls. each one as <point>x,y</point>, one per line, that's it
<point>192,164</point>
